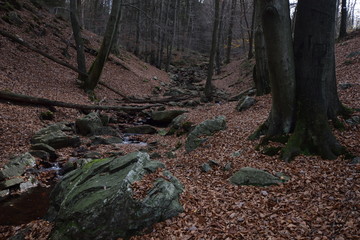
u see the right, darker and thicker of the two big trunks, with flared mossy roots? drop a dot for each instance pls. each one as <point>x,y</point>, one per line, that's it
<point>315,77</point>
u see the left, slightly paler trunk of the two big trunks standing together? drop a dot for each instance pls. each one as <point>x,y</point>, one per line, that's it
<point>279,47</point>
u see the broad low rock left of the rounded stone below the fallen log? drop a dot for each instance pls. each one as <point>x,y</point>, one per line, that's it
<point>54,135</point>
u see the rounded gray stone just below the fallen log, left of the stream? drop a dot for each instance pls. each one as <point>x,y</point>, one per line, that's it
<point>89,125</point>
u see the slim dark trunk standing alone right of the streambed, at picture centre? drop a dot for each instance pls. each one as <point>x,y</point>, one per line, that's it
<point>208,85</point>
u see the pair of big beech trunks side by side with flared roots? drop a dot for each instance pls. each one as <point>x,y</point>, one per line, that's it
<point>313,64</point>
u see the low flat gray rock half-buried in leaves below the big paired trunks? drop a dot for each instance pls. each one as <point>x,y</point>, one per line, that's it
<point>254,177</point>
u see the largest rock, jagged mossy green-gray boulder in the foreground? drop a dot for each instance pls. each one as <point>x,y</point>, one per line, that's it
<point>97,200</point>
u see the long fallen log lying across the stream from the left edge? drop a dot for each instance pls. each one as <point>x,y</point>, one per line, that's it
<point>9,96</point>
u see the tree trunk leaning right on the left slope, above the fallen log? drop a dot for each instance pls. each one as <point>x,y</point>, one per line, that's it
<point>110,32</point>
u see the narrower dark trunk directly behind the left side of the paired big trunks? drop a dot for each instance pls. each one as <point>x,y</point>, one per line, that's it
<point>261,69</point>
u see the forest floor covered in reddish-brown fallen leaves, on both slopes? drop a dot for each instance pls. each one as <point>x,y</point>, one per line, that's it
<point>321,201</point>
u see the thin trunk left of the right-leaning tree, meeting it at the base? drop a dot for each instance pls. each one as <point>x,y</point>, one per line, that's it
<point>78,39</point>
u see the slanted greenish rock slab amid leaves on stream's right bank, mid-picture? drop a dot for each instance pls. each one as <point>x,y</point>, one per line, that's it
<point>206,128</point>
